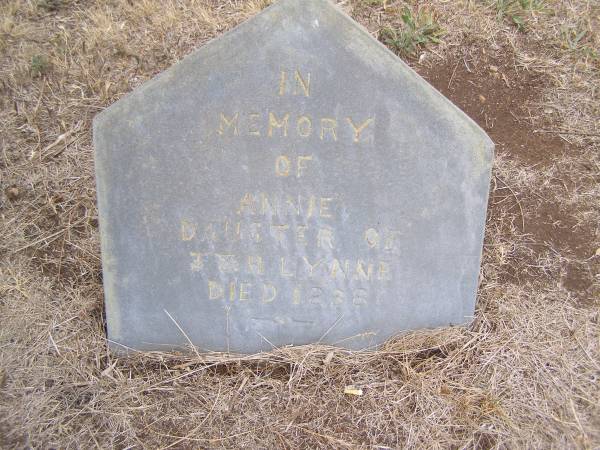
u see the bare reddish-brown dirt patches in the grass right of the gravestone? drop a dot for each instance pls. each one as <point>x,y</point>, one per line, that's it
<point>497,95</point>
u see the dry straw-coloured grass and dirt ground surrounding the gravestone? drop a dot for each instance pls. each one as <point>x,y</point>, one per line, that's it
<point>526,373</point>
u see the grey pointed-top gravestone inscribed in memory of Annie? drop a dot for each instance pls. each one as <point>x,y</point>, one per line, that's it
<point>290,182</point>
